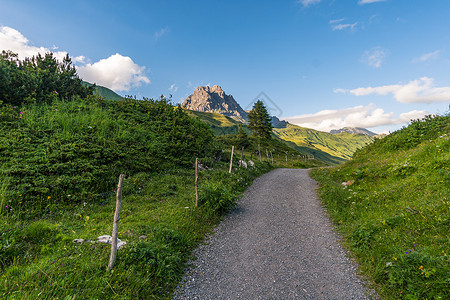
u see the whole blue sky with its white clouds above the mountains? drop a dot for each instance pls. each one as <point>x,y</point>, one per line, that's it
<point>321,64</point>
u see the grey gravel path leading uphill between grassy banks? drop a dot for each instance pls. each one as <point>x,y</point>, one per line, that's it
<point>277,244</point>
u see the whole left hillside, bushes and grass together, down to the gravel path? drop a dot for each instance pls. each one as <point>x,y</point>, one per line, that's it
<point>59,168</point>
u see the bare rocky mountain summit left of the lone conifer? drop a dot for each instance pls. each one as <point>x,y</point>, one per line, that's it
<point>214,99</point>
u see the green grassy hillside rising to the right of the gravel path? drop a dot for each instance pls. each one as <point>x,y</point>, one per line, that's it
<point>395,209</point>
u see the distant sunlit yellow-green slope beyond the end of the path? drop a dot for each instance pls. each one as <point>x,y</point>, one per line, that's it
<point>339,147</point>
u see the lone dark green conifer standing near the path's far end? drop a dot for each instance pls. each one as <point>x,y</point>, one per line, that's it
<point>259,121</point>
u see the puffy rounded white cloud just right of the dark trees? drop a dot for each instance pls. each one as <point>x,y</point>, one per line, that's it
<point>117,72</point>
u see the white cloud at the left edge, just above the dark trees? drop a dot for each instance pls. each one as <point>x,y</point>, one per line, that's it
<point>11,39</point>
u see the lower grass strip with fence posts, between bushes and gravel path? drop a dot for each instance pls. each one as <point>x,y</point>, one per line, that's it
<point>159,222</point>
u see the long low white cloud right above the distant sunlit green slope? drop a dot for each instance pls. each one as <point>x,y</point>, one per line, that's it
<point>358,116</point>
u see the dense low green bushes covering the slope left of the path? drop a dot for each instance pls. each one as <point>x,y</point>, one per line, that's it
<point>74,150</point>
